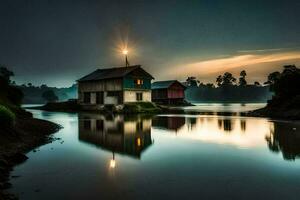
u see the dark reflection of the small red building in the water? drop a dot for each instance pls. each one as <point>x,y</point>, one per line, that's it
<point>169,123</point>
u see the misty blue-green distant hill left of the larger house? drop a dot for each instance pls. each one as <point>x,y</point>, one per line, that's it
<point>33,94</point>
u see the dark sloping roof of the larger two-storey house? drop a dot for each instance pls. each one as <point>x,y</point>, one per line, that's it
<point>117,72</point>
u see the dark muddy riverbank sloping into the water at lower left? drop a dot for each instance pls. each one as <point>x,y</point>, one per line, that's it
<point>27,134</point>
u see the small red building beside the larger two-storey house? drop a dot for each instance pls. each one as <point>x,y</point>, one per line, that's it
<point>168,92</point>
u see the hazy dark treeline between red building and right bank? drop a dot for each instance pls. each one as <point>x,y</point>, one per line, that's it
<point>227,89</point>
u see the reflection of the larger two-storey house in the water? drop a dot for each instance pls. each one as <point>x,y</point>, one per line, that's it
<point>119,134</point>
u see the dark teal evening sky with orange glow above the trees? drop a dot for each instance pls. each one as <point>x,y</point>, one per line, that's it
<point>55,42</point>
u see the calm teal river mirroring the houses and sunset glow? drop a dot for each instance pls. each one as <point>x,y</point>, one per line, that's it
<point>164,157</point>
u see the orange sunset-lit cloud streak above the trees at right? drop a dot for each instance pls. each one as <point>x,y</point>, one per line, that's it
<point>258,65</point>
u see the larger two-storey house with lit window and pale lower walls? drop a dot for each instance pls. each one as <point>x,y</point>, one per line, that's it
<point>114,86</point>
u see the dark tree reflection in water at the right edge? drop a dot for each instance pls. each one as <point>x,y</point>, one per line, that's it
<point>286,139</point>
